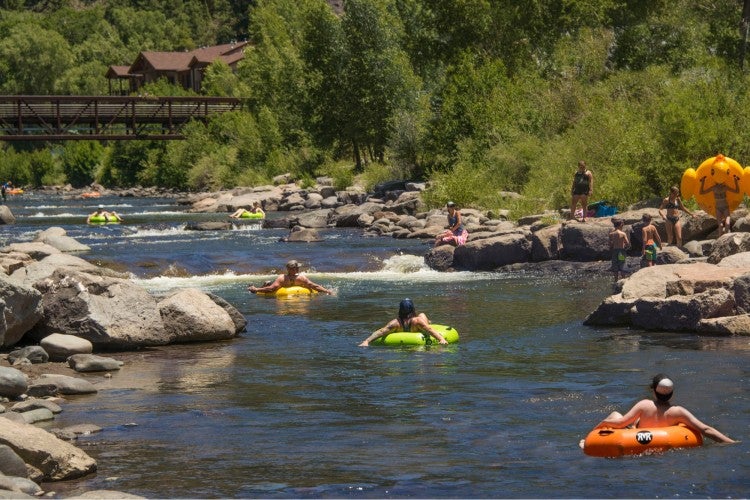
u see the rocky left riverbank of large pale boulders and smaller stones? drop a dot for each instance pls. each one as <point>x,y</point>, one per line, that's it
<point>63,309</point>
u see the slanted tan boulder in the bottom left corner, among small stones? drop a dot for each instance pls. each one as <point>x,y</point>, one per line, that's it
<point>56,459</point>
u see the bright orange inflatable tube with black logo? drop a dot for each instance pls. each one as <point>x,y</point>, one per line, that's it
<point>618,442</point>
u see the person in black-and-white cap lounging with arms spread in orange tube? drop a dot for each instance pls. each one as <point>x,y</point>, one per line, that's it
<point>659,412</point>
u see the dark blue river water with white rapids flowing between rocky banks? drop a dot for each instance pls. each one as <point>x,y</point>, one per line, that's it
<point>294,409</point>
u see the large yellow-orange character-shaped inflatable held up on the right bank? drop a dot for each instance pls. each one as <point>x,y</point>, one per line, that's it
<point>716,170</point>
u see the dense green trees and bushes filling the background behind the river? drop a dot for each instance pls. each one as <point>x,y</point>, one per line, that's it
<point>480,97</point>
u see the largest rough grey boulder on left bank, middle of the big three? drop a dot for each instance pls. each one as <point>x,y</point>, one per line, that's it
<point>111,313</point>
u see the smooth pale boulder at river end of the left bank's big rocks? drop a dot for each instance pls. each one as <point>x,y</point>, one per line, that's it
<point>190,315</point>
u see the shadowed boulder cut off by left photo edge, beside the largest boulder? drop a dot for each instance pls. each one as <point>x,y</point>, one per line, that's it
<point>21,308</point>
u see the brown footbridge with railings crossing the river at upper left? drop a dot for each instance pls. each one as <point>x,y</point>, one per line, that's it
<point>65,118</point>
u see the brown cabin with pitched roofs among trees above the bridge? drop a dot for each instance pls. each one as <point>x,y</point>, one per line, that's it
<point>179,68</point>
